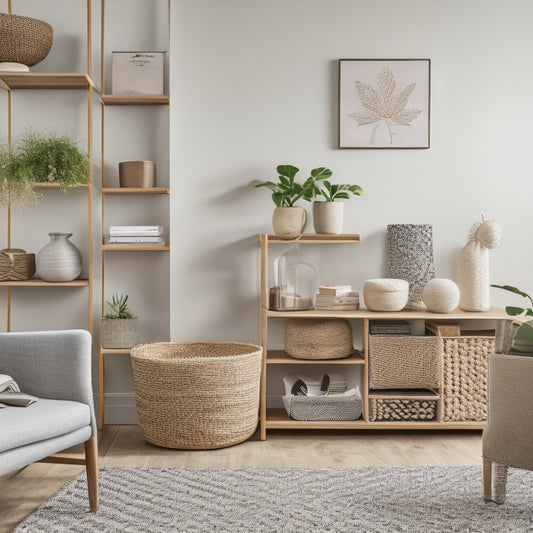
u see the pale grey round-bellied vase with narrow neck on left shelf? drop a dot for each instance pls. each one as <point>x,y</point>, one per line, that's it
<point>58,260</point>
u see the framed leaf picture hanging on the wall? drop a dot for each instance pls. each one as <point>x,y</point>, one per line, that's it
<point>384,103</point>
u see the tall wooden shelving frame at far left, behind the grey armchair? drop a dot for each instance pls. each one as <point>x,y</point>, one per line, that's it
<point>15,81</point>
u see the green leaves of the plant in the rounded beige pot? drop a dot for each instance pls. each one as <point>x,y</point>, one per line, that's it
<point>287,191</point>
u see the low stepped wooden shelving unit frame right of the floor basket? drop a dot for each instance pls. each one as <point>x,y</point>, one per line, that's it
<point>278,418</point>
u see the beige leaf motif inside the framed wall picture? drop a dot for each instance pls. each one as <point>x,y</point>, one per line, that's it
<point>384,103</point>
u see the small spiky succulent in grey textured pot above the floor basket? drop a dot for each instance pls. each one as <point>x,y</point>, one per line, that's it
<point>118,328</point>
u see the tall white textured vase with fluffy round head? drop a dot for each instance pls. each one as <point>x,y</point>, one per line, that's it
<point>473,265</point>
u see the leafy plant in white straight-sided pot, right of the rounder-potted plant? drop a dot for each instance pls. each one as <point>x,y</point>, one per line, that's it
<point>328,213</point>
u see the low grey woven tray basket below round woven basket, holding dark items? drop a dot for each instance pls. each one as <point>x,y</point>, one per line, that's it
<point>323,407</point>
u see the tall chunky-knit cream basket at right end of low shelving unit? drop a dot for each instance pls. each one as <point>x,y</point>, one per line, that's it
<point>464,388</point>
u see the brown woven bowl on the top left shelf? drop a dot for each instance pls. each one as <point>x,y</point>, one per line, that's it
<point>24,40</point>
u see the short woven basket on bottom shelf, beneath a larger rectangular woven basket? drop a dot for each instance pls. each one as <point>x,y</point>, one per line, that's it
<point>417,405</point>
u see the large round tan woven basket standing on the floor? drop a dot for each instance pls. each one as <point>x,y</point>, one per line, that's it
<point>197,395</point>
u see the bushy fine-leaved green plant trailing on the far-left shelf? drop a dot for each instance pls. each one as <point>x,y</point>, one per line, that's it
<point>38,159</point>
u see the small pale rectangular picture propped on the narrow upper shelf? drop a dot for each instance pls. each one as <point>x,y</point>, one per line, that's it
<point>137,73</point>
